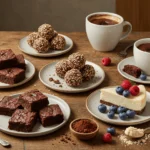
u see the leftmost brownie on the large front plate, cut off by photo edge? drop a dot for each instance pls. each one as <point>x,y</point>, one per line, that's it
<point>8,105</point>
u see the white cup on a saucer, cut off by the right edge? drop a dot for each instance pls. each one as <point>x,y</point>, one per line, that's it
<point>142,58</point>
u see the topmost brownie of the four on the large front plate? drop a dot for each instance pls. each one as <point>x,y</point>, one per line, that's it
<point>33,100</point>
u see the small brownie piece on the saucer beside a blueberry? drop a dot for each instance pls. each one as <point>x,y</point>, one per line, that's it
<point>132,70</point>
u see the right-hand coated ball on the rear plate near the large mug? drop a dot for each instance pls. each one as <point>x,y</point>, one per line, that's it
<point>58,43</point>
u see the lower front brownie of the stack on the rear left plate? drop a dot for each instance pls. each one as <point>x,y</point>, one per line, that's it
<point>12,75</point>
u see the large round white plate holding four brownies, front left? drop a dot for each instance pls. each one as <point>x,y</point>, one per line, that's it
<point>38,129</point>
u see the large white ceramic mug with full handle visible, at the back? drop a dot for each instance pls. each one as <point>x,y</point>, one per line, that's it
<point>106,37</point>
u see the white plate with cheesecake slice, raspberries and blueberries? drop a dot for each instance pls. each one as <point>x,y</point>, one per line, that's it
<point>125,104</point>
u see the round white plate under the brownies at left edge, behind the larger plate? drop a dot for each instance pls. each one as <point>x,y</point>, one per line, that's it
<point>29,73</point>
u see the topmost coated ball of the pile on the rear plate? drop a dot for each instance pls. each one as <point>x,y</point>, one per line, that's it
<point>46,31</point>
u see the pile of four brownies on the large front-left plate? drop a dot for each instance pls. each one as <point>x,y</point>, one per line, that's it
<point>27,108</point>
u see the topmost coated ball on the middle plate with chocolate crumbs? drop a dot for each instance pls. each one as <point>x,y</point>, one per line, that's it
<point>77,60</point>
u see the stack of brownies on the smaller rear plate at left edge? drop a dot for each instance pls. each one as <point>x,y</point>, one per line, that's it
<point>12,67</point>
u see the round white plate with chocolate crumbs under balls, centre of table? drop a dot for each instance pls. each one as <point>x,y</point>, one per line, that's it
<point>48,71</point>
